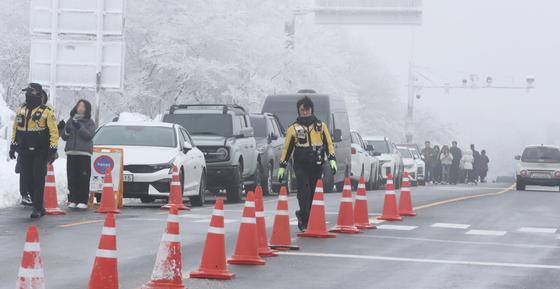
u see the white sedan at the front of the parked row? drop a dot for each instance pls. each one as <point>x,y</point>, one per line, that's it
<point>151,149</point>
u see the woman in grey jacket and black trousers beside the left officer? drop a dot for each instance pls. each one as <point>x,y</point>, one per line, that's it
<point>78,134</point>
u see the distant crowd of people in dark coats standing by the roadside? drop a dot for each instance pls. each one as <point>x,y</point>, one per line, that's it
<point>451,165</point>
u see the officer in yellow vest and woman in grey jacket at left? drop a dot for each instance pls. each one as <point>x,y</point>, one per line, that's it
<point>35,135</point>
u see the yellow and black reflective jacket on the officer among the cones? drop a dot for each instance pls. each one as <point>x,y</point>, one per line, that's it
<point>309,144</point>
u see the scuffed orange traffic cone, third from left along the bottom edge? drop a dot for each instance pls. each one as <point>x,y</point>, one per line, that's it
<point>167,271</point>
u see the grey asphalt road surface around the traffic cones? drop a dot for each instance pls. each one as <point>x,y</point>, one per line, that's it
<point>485,236</point>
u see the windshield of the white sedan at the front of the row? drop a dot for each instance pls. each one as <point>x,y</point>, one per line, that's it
<point>153,136</point>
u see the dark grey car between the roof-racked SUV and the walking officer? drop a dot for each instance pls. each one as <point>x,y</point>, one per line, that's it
<point>269,135</point>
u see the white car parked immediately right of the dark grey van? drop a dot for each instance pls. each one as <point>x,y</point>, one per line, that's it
<point>363,164</point>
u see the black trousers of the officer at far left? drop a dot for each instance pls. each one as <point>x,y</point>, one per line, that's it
<point>34,170</point>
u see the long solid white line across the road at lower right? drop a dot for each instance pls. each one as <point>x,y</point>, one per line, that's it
<point>422,260</point>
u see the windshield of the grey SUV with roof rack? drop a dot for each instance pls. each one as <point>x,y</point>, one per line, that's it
<point>203,123</point>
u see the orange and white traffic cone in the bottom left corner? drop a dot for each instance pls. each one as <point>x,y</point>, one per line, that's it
<point>30,275</point>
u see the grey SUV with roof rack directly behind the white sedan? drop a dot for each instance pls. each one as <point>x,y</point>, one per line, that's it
<point>225,135</point>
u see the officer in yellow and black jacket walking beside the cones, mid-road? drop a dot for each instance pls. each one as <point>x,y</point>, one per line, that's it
<point>310,141</point>
